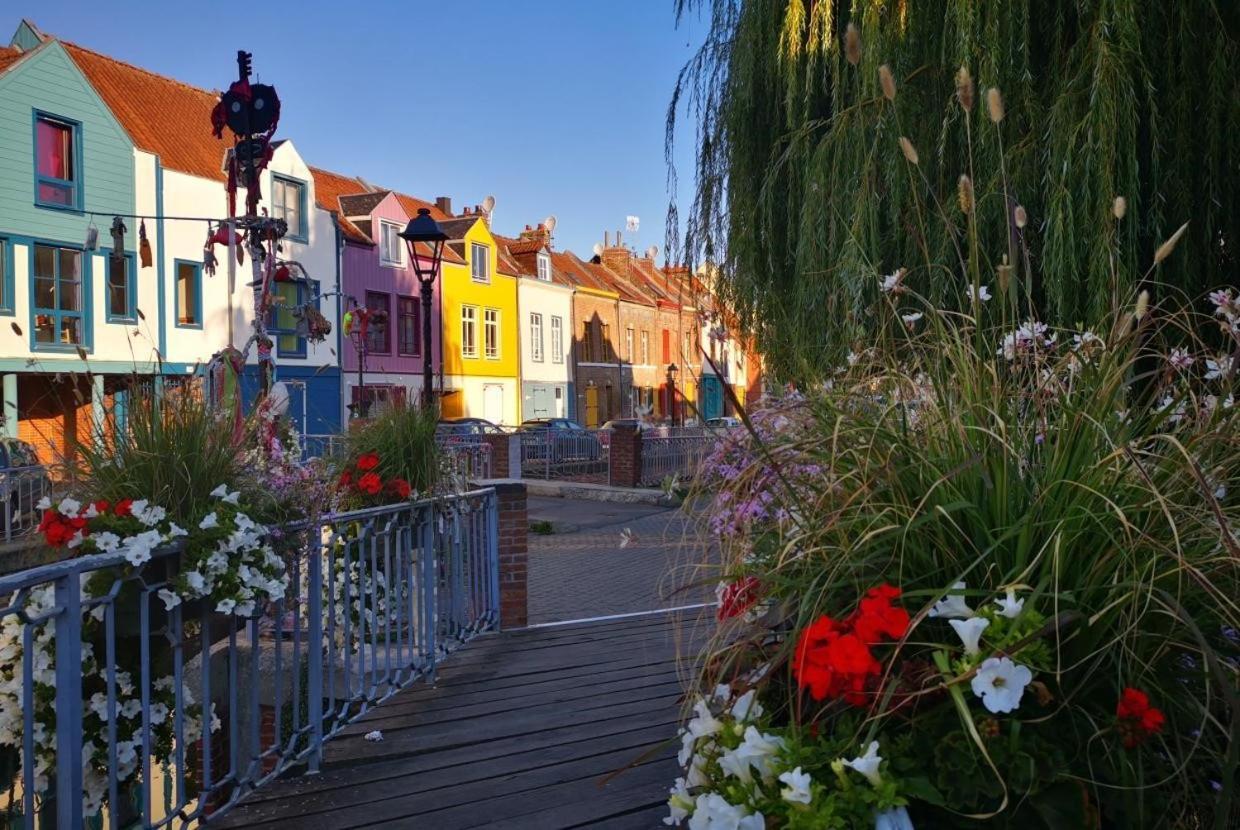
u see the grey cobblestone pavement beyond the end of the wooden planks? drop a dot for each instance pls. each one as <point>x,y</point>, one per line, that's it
<point>587,573</point>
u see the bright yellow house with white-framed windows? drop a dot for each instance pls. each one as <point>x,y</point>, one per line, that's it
<point>482,355</point>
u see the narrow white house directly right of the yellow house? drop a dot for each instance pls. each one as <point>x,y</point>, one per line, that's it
<point>545,300</point>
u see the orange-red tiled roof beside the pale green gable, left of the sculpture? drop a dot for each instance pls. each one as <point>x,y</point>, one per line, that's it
<point>162,116</point>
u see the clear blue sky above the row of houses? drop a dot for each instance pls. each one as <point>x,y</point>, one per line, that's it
<point>551,106</point>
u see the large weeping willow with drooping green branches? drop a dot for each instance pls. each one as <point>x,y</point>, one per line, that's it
<point>805,198</point>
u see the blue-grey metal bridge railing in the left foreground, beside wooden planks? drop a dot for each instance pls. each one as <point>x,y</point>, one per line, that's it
<point>376,599</point>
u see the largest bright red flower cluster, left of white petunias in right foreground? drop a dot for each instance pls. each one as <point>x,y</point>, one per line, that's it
<point>834,659</point>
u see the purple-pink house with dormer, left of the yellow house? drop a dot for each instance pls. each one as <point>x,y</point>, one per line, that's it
<point>378,274</point>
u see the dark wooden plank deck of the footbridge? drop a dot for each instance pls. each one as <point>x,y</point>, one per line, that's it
<point>556,728</point>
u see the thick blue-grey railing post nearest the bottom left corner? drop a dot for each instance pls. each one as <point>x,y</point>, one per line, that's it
<point>69,703</point>
